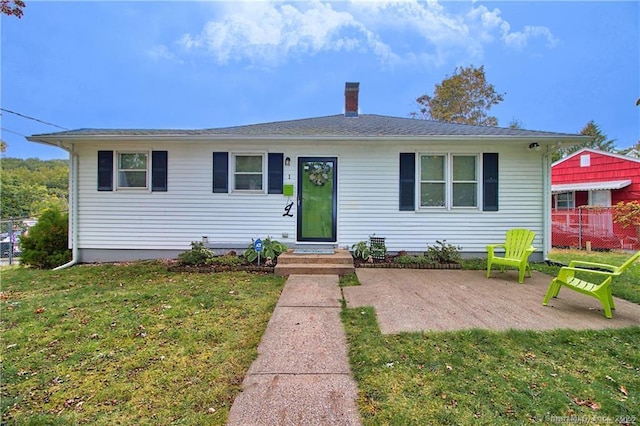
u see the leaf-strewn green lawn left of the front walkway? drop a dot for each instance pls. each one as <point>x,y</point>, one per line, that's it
<point>128,344</point>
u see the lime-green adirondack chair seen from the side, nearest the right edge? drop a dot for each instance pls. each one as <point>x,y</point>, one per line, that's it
<point>602,291</point>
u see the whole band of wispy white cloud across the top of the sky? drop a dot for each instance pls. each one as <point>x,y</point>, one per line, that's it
<point>396,32</point>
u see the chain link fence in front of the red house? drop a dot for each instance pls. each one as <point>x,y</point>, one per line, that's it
<point>592,227</point>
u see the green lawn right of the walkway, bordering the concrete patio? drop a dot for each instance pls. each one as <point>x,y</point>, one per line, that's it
<point>493,378</point>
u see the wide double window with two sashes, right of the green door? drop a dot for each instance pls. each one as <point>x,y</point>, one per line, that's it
<point>448,180</point>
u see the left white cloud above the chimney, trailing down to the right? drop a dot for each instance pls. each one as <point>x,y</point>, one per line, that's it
<point>267,32</point>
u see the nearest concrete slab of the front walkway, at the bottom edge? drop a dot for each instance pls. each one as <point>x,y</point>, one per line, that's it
<point>296,400</point>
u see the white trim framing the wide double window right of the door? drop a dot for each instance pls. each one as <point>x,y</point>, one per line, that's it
<point>449,181</point>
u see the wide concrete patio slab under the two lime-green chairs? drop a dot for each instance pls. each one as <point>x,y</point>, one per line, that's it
<point>439,300</point>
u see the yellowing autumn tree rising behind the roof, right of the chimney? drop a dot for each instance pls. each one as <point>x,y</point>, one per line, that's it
<point>465,97</point>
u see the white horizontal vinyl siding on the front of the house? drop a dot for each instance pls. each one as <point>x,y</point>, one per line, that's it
<point>368,197</point>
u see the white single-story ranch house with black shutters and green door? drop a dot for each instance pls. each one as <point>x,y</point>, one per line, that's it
<point>330,181</point>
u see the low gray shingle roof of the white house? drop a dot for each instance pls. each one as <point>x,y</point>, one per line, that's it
<point>335,126</point>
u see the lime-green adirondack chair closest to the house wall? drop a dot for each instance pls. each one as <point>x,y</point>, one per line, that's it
<point>517,249</point>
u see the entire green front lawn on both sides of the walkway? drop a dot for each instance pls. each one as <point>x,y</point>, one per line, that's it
<point>135,344</point>
